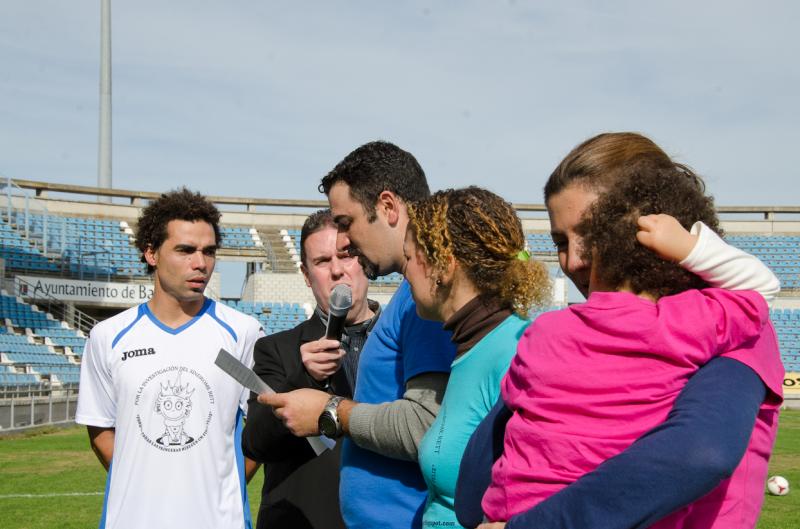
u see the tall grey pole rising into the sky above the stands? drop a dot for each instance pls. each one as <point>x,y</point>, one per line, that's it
<point>104,151</point>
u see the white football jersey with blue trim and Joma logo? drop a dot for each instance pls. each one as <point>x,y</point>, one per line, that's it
<point>177,416</point>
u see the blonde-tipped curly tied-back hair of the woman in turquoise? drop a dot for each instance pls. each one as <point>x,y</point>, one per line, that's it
<point>482,232</point>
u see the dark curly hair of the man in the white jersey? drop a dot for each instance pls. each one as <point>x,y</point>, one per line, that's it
<point>179,204</point>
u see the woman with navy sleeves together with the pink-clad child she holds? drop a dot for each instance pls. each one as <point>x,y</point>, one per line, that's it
<point>580,397</point>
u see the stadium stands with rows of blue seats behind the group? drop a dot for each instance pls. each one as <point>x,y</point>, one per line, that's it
<point>76,237</point>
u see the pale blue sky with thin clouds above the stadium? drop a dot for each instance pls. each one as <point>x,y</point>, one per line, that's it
<point>262,98</point>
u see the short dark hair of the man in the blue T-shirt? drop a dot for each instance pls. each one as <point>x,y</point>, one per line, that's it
<point>376,167</point>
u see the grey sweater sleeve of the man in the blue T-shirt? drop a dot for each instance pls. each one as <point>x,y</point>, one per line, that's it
<point>395,429</point>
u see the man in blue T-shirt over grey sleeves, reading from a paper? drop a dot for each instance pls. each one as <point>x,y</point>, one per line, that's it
<point>405,363</point>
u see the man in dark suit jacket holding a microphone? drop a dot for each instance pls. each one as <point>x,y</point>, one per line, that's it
<point>301,490</point>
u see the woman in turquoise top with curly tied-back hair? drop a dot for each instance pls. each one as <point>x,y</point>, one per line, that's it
<point>467,266</point>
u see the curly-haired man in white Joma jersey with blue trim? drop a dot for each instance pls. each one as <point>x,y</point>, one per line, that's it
<point>163,419</point>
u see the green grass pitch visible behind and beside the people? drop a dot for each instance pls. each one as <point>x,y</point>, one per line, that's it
<point>51,479</point>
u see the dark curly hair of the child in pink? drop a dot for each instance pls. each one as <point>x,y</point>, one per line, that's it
<point>609,227</point>
